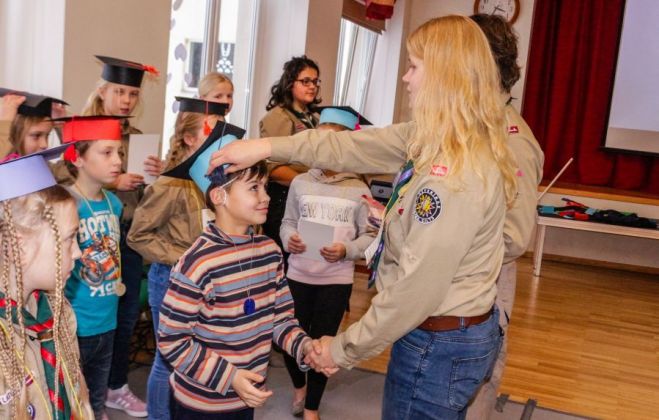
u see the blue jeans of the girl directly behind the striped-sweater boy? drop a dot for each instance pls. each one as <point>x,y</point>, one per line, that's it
<point>158,383</point>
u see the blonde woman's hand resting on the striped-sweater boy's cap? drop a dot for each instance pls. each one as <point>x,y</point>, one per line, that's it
<point>241,154</point>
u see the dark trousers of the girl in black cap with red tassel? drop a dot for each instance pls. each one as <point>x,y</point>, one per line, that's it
<point>129,310</point>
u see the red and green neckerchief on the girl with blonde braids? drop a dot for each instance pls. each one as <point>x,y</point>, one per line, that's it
<point>43,325</point>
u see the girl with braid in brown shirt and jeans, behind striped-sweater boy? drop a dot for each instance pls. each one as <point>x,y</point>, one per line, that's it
<point>167,221</point>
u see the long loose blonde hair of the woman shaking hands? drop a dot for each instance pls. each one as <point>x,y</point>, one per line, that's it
<point>458,108</point>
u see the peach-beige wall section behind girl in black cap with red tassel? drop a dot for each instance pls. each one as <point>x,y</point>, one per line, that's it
<point>133,30</point>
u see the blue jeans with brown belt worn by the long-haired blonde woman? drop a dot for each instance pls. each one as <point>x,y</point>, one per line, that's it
<point>433,375</point>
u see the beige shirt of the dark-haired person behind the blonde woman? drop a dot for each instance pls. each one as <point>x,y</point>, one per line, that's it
<point>520,218</point>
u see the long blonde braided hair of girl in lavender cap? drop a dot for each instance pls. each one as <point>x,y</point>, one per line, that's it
<point>22,218</point>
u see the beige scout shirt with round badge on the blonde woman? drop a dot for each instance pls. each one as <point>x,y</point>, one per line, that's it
<point>443,247</point>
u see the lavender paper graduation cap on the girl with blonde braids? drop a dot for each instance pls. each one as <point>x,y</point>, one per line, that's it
<point>27,174</point>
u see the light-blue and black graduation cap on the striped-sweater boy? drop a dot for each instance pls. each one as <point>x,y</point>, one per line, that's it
<point>196,166</point>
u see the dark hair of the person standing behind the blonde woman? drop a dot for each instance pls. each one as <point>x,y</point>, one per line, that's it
<point>503,43</point>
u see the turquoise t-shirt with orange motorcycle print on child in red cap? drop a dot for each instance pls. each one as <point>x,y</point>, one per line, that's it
<point>91,288</point>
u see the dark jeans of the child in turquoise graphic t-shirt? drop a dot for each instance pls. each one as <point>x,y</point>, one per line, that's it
<point>96,358</point>
